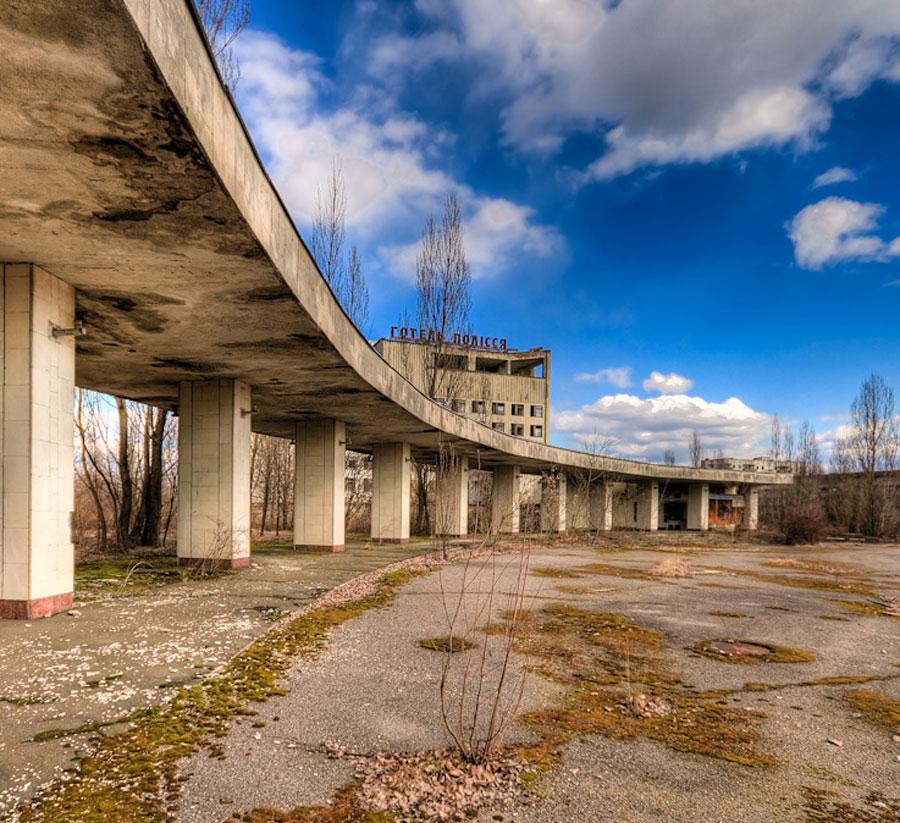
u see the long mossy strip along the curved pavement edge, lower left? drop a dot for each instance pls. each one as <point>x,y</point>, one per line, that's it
<point>133,775</point>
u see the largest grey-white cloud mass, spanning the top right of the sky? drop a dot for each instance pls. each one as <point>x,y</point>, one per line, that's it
<point>664,81</point>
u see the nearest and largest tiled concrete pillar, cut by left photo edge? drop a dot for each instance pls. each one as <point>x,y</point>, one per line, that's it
<point>37,389</point>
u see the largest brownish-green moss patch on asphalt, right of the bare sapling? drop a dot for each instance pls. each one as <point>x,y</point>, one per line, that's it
<point>616,684</point>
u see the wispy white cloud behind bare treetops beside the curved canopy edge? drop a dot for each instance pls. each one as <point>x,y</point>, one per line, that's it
<point>393,180</point>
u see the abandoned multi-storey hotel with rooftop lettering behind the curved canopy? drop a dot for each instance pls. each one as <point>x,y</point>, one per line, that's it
<point>479,378</point>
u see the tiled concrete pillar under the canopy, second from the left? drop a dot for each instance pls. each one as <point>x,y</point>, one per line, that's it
<point>214,474</point>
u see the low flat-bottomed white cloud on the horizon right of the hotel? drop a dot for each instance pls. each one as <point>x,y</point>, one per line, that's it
<point>644,428</point>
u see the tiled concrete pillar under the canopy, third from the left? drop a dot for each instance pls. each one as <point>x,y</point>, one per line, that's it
<point>319,486</point>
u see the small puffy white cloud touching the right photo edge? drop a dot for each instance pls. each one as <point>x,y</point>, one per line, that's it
<point>836,229</point>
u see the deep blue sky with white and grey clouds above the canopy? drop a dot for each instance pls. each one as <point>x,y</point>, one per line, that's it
<point>695,205</point>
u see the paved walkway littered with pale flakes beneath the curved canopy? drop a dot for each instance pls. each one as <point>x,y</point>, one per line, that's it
<point>123,653</point>
